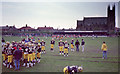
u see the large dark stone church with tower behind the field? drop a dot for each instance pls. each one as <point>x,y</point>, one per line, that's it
<point>98,23</point>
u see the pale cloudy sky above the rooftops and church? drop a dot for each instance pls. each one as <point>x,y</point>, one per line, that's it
<point>54,14</point>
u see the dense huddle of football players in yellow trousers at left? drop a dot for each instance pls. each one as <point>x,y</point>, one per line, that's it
<point>29,49</point>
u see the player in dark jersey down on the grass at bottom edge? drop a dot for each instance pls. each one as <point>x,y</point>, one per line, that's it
<point>72,69</point>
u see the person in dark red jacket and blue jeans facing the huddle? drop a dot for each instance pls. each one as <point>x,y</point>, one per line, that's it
<point>17,56</point>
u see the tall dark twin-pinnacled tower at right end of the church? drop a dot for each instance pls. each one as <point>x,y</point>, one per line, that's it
<point>111,18</point>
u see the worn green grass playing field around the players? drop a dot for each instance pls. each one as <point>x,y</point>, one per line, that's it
<point>91,59</point>
